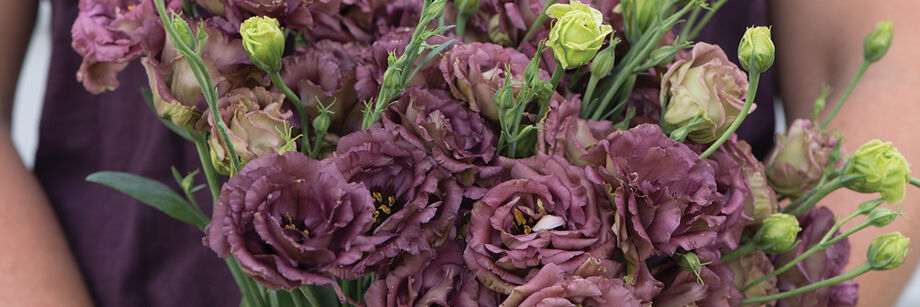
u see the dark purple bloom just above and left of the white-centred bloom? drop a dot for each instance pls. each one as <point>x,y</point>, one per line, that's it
<point>459,139</point>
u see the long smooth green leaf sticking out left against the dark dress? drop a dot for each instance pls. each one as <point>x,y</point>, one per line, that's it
<point>150,192</point>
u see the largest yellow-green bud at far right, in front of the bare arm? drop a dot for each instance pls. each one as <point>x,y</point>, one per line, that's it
<point>878,167</point>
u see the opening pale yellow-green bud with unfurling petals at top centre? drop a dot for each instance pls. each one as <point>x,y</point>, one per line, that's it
<point>578,33</point>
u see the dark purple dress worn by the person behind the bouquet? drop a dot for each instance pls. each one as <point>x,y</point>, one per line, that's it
<point>133,255</point>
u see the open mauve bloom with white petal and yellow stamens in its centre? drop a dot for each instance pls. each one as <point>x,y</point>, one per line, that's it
<point>548,212</point>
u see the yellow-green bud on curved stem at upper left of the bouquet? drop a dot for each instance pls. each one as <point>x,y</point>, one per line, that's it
<point>264,42</point>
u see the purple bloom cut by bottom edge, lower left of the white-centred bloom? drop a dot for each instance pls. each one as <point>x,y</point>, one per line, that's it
<point>438,278</point>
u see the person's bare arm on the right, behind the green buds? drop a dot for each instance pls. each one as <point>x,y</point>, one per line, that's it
<point>821,41</point>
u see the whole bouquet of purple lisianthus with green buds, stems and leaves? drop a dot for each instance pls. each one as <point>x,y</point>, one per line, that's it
<point>484,153</point>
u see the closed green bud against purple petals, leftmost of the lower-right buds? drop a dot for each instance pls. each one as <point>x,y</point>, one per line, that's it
<point>777,233</point>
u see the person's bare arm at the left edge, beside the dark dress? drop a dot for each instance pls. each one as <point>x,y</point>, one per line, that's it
<point>36,264</point>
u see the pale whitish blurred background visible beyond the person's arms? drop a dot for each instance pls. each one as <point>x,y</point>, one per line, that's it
<point>31,89</point>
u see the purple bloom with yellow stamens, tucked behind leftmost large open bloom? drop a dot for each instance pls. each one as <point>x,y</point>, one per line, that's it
<point>415,202</point>
